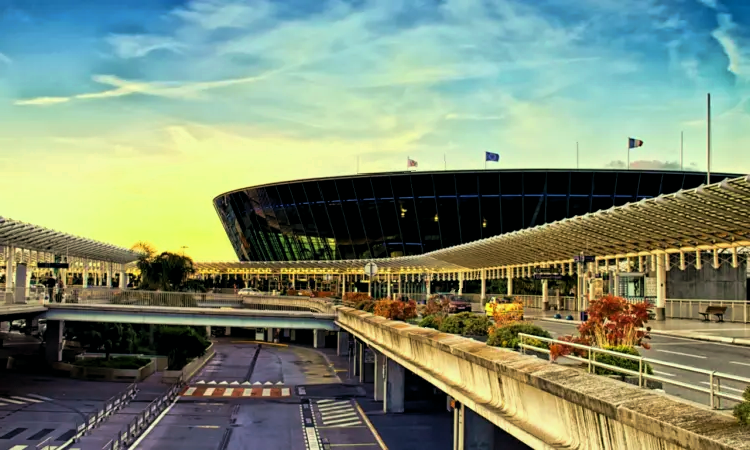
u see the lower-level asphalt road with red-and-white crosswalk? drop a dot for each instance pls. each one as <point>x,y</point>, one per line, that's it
<point>268,397</point>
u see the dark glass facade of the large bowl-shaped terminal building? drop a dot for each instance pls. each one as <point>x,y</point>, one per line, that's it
<point>396,214</point>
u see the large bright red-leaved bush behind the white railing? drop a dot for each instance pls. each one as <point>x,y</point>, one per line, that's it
<point>612,322</point>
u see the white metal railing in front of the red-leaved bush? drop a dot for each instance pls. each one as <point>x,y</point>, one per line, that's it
<point>714,378</point>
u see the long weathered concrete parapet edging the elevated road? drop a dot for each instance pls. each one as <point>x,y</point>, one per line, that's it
<point>546,405</point>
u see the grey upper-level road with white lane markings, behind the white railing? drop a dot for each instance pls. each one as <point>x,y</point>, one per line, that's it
<point>725,358</point>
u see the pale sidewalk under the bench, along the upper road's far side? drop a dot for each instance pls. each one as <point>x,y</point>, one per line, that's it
<point>724,332</point>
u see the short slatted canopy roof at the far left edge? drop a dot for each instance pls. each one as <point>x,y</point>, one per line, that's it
<point>33,237</point>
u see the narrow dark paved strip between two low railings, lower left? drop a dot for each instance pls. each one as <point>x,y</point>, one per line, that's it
<point>148,390</point>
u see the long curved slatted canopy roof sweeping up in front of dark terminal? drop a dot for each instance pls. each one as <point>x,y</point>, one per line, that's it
<point>709,217</point>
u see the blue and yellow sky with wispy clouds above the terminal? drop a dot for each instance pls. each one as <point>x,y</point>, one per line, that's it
<point>121,120</point>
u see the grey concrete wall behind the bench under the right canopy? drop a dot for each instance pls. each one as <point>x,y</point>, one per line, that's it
<point>724,283</point>
